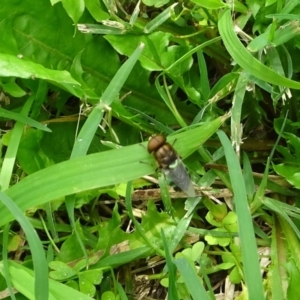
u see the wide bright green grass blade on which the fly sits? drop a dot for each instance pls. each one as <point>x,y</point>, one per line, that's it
<point>98,170</point>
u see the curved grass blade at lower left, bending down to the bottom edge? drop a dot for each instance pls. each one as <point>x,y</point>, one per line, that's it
<point>38,255</point>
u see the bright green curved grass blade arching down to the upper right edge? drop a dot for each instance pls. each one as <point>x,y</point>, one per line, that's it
<point>244,58</point>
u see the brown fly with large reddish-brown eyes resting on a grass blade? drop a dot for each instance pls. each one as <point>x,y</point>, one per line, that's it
<point>169,161</point>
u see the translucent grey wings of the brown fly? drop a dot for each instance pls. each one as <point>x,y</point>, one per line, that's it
<point>179,175</point>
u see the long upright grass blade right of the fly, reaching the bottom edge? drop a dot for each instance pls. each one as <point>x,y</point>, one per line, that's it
<point>248,244</point>
